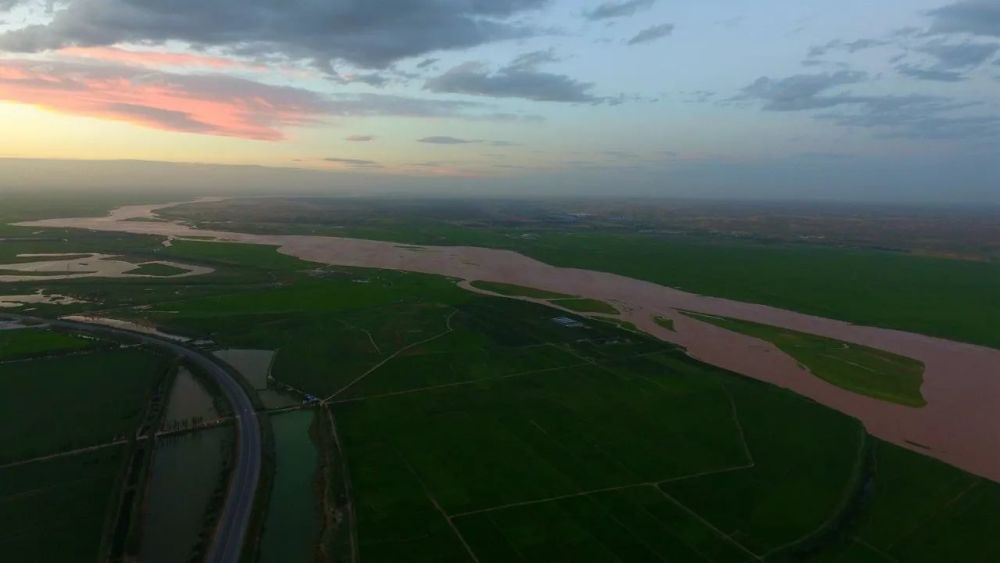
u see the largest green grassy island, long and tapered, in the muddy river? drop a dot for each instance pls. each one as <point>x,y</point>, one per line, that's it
<point>864,370</point>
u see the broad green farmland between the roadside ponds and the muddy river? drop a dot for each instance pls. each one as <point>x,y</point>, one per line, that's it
<point>616,446</point>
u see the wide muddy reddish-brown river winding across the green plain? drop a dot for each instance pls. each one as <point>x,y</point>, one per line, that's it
<point>959,425</point>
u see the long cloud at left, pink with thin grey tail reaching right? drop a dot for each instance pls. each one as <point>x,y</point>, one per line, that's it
<point>261,110</point>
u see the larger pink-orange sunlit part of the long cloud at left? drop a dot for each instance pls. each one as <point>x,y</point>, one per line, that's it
<point>208,104</point>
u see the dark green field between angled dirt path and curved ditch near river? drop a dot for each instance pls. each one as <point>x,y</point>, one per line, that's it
<point>777,502</point>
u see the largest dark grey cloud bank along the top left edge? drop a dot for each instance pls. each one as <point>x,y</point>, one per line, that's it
<point>362,32</point>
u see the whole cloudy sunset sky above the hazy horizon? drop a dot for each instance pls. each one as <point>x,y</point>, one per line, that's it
<point>896,100</point>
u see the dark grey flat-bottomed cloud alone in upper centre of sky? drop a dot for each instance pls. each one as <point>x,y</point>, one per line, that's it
<point>511,82</point>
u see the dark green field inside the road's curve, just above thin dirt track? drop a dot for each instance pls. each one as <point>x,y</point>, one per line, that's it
<point>49,405</point>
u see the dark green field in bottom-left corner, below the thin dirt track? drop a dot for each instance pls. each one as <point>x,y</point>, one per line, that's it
<point>55,510</point>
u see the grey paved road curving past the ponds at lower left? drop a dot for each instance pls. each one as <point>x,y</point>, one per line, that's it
<point>235,518</point>
